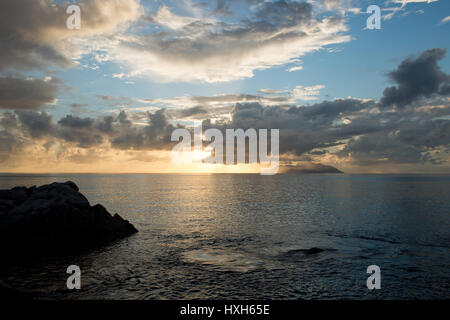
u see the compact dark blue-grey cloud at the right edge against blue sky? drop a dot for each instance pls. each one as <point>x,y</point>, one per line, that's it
<point>417,78</point>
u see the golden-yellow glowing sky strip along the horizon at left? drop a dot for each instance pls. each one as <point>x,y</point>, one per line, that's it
<point>107,161</point>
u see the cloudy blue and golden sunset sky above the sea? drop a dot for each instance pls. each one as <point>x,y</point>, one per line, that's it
<point>107,97</point>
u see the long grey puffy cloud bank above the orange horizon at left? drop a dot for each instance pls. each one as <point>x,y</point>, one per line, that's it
<point>117,130</point>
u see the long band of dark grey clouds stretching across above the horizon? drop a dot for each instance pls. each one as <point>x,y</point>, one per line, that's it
<point>340,132</point>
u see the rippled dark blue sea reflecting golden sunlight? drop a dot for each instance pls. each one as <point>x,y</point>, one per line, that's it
<point>241,236</point>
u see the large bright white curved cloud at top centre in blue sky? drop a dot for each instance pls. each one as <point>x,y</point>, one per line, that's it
<point>211,50</point>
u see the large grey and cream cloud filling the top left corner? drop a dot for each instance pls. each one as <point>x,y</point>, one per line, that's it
<point>34,35</point>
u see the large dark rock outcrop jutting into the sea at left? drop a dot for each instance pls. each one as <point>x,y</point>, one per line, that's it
<point>54,218</point>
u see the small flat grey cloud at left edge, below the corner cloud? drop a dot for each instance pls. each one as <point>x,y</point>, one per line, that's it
<point>27,94</point>
